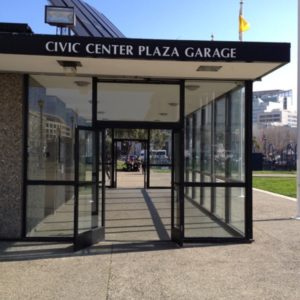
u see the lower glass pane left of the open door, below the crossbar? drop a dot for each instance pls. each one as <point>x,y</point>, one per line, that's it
<point>50,211</point>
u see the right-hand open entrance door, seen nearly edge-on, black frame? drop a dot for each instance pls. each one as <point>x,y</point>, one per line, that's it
<point>177,217</point>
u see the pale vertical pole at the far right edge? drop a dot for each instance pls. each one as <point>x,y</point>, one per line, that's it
<point>298,122</point>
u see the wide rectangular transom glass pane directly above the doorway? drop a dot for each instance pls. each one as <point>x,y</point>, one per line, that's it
<point>138,102</point>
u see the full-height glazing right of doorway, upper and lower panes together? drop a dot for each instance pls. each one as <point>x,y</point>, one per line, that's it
<point>214,160</point>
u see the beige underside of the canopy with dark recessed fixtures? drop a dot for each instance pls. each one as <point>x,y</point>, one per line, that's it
<point>136,68</point>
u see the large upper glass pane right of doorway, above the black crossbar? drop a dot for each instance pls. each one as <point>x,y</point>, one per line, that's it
<point>214,130</point>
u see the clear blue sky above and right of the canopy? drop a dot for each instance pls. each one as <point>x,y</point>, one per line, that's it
<point>270,21</point>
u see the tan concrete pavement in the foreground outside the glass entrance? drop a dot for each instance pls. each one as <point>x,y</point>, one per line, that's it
<point>269,268</point>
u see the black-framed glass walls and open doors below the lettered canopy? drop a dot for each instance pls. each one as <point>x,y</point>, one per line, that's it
<point>72,157</point>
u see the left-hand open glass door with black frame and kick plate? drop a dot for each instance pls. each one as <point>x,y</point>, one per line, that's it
<point>89,188</point>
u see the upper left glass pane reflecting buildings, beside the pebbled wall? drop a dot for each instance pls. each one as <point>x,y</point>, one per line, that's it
<point>56,106</point>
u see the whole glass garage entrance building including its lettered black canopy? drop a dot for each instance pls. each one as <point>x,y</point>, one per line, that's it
<point>182,108</point>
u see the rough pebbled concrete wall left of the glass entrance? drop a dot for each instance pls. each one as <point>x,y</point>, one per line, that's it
<point>11,155</point>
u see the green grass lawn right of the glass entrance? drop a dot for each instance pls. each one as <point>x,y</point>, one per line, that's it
<point>279,185</point>
